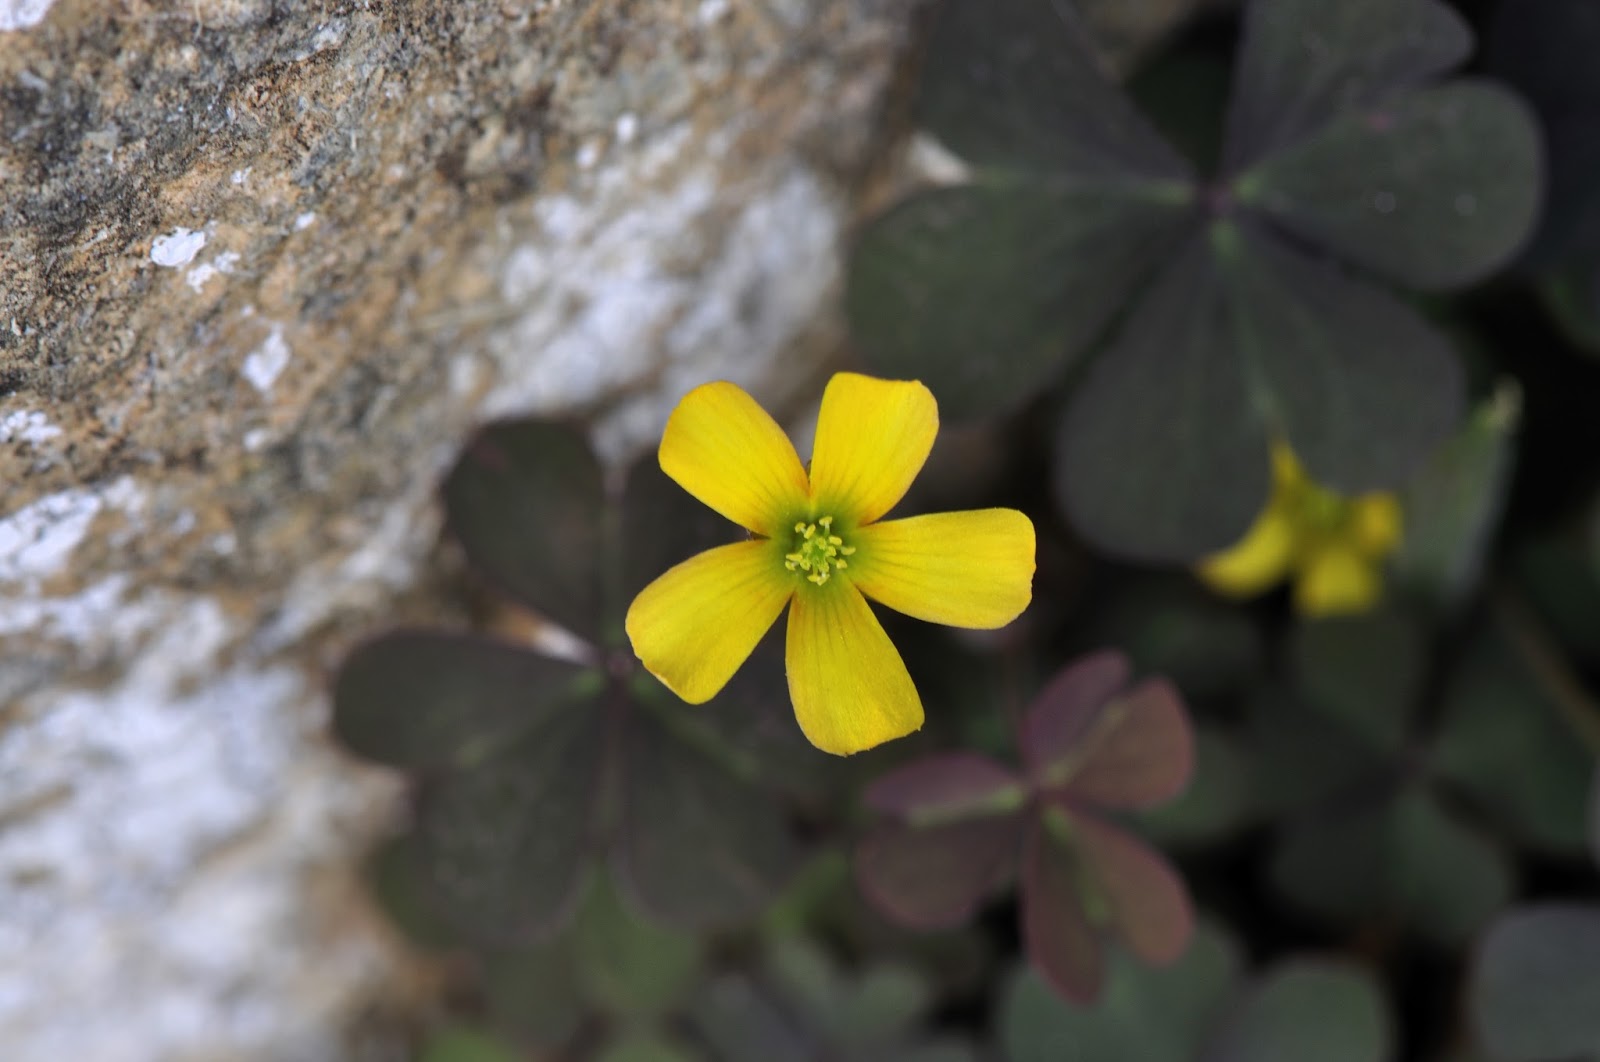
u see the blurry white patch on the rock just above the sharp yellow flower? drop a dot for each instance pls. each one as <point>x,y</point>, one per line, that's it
<point>606,301</point>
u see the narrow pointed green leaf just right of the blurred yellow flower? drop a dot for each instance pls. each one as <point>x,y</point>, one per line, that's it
<point>1455,503</point>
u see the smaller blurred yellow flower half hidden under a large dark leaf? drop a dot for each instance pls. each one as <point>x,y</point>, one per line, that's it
<point>1330,546</point>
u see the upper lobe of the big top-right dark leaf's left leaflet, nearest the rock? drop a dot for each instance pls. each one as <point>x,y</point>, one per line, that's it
<point>1014,86</point>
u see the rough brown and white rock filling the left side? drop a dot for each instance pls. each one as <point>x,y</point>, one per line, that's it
<point>265,265</point>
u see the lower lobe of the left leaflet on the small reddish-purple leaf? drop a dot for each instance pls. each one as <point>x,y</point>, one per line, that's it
<point>937,877</point>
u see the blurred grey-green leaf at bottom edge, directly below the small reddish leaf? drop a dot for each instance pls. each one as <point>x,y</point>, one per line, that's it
<point>1202,1010</point>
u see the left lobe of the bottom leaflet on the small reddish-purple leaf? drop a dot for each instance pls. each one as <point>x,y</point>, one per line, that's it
<point>1057,932</point>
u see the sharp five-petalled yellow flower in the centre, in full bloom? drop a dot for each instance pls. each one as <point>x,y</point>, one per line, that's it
<point>818,548</point>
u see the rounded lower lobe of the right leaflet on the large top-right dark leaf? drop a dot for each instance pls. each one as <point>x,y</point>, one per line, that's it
<point>1434,190</point>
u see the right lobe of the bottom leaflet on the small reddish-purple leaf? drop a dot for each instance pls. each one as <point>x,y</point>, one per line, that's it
<point>1142,893</point>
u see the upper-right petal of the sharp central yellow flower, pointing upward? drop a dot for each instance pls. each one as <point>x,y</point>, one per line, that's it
<point>873,439</point>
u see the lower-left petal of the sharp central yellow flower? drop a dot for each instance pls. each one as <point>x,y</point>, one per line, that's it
<point>698,623</point>
